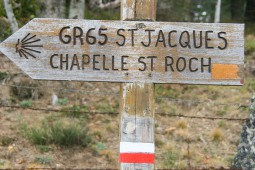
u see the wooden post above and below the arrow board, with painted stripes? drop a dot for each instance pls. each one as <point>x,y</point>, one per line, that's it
<point>137,148</point>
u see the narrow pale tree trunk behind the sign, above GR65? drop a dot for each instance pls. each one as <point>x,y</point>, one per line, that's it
<point>77,9</point>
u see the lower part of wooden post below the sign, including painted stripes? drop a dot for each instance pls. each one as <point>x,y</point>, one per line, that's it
<point>137,124</point>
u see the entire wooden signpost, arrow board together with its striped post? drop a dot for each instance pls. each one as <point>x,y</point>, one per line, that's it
<point>135,51</point>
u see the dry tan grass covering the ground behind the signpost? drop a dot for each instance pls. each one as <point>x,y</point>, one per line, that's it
<point>208,139</point>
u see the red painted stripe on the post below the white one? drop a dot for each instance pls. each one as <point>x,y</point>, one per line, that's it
<point>137,158</point>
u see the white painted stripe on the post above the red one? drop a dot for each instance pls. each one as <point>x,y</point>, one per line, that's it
<point>131,147</point>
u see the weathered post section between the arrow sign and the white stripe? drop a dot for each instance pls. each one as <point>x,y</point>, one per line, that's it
<point>137,112</point>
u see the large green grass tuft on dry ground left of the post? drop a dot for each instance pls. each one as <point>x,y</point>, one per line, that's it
<point>58,133</point>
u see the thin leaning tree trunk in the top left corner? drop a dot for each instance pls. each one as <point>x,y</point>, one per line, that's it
<point>10,15</point>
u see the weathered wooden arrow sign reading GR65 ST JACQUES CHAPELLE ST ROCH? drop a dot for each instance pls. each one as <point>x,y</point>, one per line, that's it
<point>129,51</point>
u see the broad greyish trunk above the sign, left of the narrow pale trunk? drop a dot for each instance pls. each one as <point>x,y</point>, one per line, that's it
<point>52,9</point>
